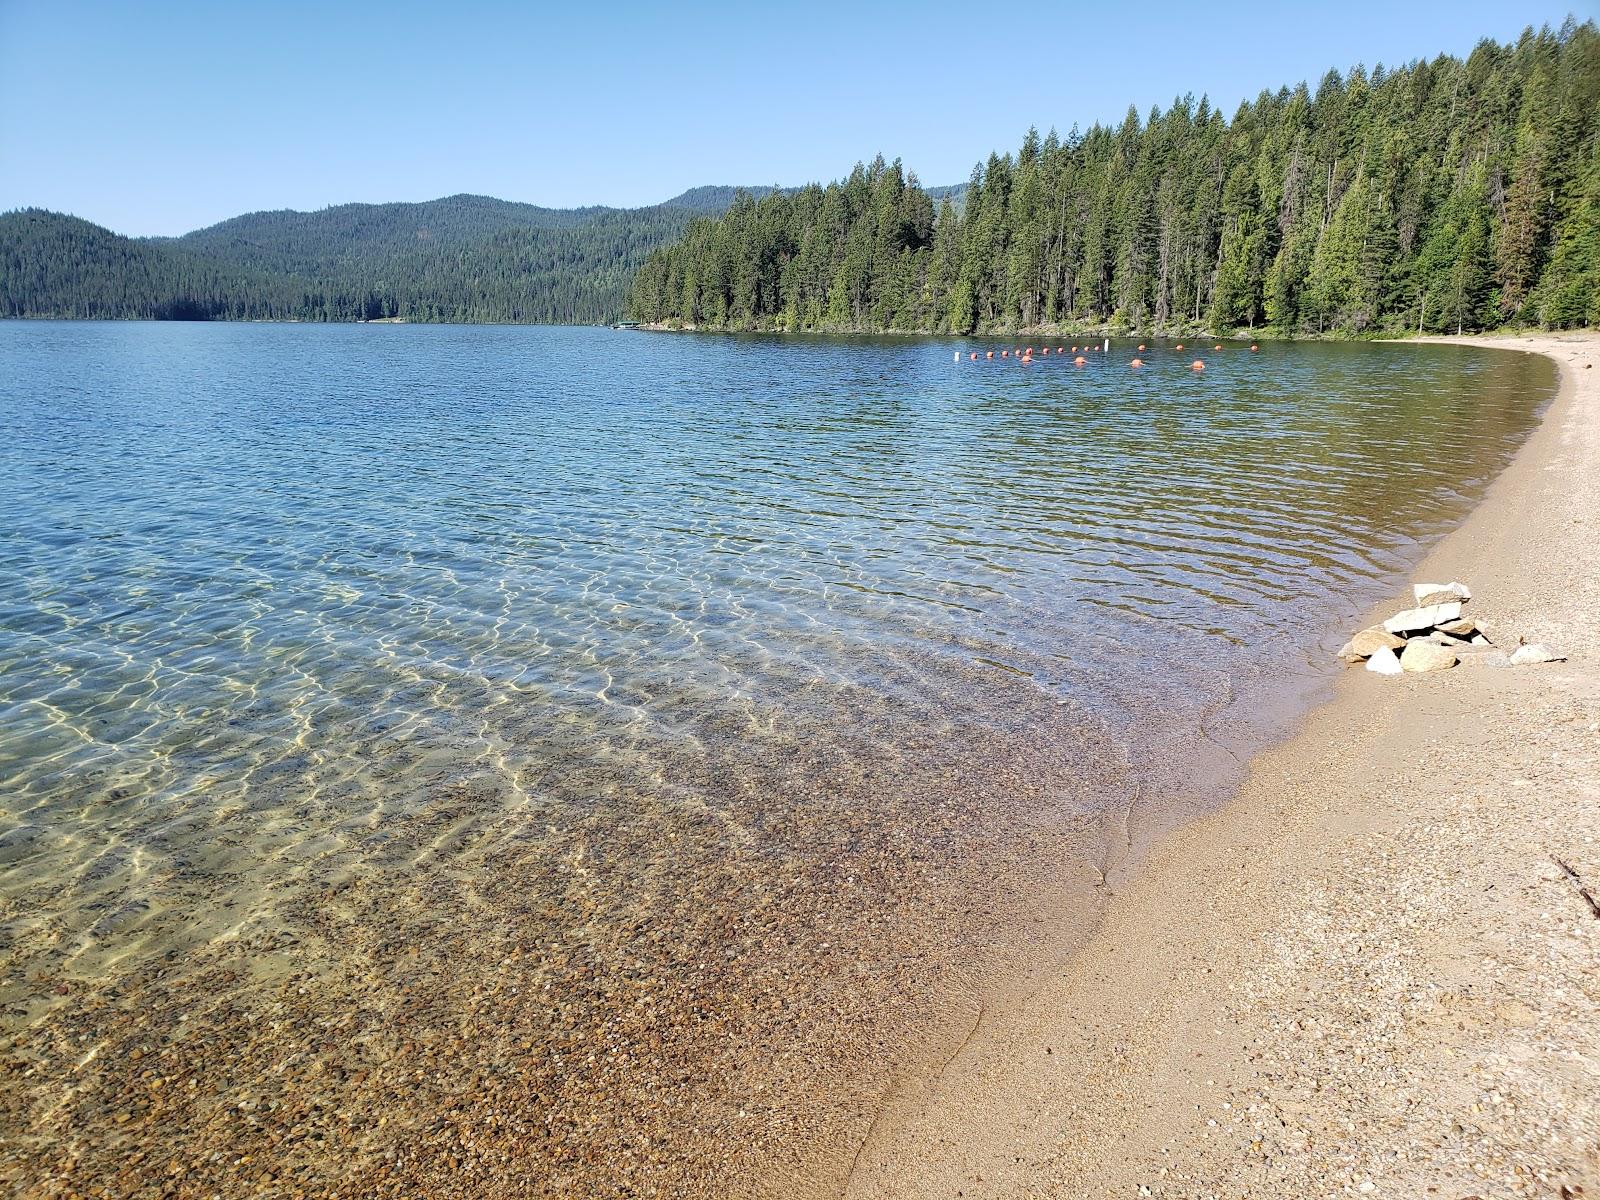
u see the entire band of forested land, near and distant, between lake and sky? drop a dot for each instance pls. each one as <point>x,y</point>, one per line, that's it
<point>1450,194</point>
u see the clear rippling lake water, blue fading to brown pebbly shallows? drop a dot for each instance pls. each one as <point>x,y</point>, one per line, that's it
<point>550,762</point>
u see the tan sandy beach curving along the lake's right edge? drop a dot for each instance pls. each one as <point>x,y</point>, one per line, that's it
<point>1377,972</point>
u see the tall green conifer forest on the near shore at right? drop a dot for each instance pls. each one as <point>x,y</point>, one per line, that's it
<point>1444,196</point>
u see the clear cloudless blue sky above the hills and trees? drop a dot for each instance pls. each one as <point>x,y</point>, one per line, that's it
<point>161,118</point>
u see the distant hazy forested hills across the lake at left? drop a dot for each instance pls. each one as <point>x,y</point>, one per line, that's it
<point>465,258</point>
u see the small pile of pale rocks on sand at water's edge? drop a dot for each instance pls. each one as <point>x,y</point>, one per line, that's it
<point>1434,636</point>
